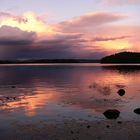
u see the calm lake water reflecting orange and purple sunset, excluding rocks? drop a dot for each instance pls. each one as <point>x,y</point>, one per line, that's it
<point>55,93</point>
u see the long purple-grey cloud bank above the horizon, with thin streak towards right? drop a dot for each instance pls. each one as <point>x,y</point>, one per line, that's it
<point>15,43</point>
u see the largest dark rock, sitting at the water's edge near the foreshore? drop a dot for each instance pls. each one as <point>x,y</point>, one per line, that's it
<point>112,114</point>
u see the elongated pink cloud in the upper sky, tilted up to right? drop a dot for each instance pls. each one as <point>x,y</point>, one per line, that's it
<point>89,20</point>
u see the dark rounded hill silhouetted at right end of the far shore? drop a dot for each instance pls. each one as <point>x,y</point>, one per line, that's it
<point>122,57</point>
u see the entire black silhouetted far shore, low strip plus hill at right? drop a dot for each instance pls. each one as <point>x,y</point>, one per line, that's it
<point>118,58</point>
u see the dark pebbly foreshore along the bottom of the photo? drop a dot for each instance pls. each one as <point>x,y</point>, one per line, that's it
<point>74,130</point>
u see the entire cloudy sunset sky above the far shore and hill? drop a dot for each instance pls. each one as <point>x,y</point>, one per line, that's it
<point>87,29</point>
